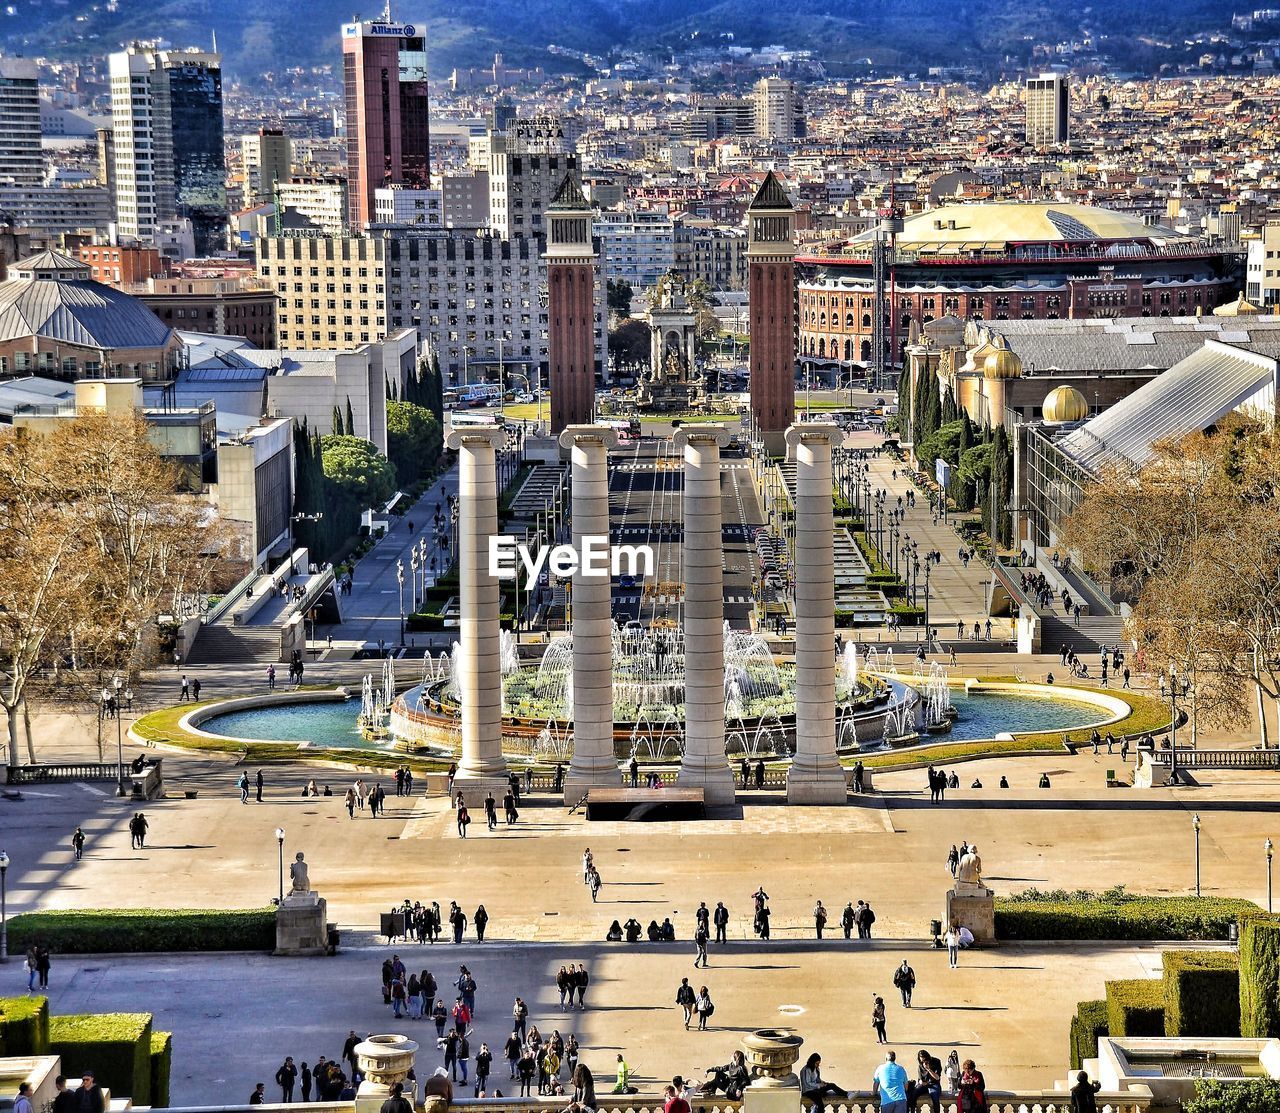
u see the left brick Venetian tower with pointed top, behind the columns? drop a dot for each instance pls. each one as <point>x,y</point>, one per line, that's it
<point>572,262</point>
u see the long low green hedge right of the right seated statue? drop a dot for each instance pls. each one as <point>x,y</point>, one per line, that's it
<point>1117,915</point>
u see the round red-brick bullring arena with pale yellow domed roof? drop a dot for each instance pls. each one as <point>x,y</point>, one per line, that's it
<point>1007,262</point>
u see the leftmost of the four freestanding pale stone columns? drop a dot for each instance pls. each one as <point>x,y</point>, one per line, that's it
<point>483,768</point>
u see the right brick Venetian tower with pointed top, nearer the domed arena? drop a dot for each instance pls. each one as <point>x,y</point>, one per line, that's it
<point>771,290</point>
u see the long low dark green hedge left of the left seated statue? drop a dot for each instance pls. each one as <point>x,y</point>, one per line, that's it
<point>122,931</point>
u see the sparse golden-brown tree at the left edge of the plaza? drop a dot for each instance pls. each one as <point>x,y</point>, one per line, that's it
<point>95,541</point>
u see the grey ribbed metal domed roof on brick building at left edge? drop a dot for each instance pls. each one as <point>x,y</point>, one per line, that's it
<point>49,296</point>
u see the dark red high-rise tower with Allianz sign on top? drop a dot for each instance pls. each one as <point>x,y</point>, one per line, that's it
<point>388,112</point>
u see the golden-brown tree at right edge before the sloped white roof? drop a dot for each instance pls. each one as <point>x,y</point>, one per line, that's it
<point>1194,535</point>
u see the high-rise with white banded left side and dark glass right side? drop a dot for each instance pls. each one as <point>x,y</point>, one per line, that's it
<point>167,132</point>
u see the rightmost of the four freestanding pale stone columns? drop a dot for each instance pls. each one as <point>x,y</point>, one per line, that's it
<point>816,776</point>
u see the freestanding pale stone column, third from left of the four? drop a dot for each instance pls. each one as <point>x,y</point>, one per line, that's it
<point>702,557</point>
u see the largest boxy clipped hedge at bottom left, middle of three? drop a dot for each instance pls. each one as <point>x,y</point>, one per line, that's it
<point>117,1047</point>
